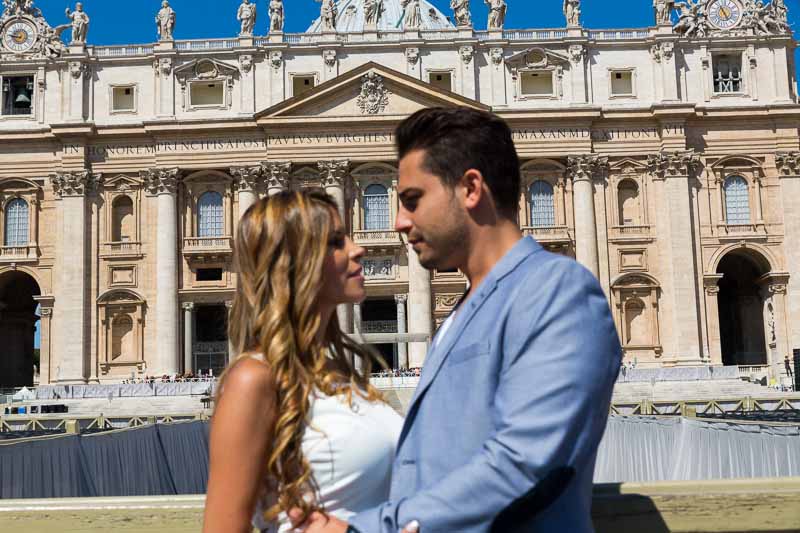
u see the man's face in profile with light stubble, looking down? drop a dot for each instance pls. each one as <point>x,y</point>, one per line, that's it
<point>431,215</point>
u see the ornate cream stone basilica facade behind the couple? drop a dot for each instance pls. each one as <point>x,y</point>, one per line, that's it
<point>664,159</point>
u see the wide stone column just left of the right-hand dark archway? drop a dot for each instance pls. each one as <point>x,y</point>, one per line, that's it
<point>677,256</point>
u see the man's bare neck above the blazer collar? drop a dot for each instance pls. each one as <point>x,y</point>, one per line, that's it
<point>487,247</point>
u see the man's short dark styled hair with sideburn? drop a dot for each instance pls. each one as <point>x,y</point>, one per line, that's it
<point>458,139</point>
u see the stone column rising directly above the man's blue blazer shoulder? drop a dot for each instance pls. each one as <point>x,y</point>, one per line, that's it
<point>582,170</point>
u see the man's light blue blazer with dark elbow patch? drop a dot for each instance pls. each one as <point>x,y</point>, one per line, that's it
<point>510,407</point>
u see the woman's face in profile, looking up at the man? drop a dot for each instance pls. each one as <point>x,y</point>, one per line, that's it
<point>342,276</point>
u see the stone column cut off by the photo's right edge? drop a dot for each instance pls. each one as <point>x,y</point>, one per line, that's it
<point>788,164</point>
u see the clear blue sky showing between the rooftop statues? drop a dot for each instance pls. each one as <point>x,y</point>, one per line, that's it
<point>118,22</point>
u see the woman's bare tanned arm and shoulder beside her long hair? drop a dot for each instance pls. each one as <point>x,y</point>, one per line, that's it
<point>241,432</point>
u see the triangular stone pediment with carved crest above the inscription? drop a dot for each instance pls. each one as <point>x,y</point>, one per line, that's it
<point>369,92</point>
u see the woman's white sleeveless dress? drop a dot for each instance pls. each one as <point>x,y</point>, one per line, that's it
<point>351,451</point>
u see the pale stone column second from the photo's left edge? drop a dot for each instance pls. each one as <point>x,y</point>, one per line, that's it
<point>163,184</point>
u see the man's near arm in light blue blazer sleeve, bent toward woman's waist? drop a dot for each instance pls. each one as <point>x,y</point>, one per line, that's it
<point>561,355</point>
